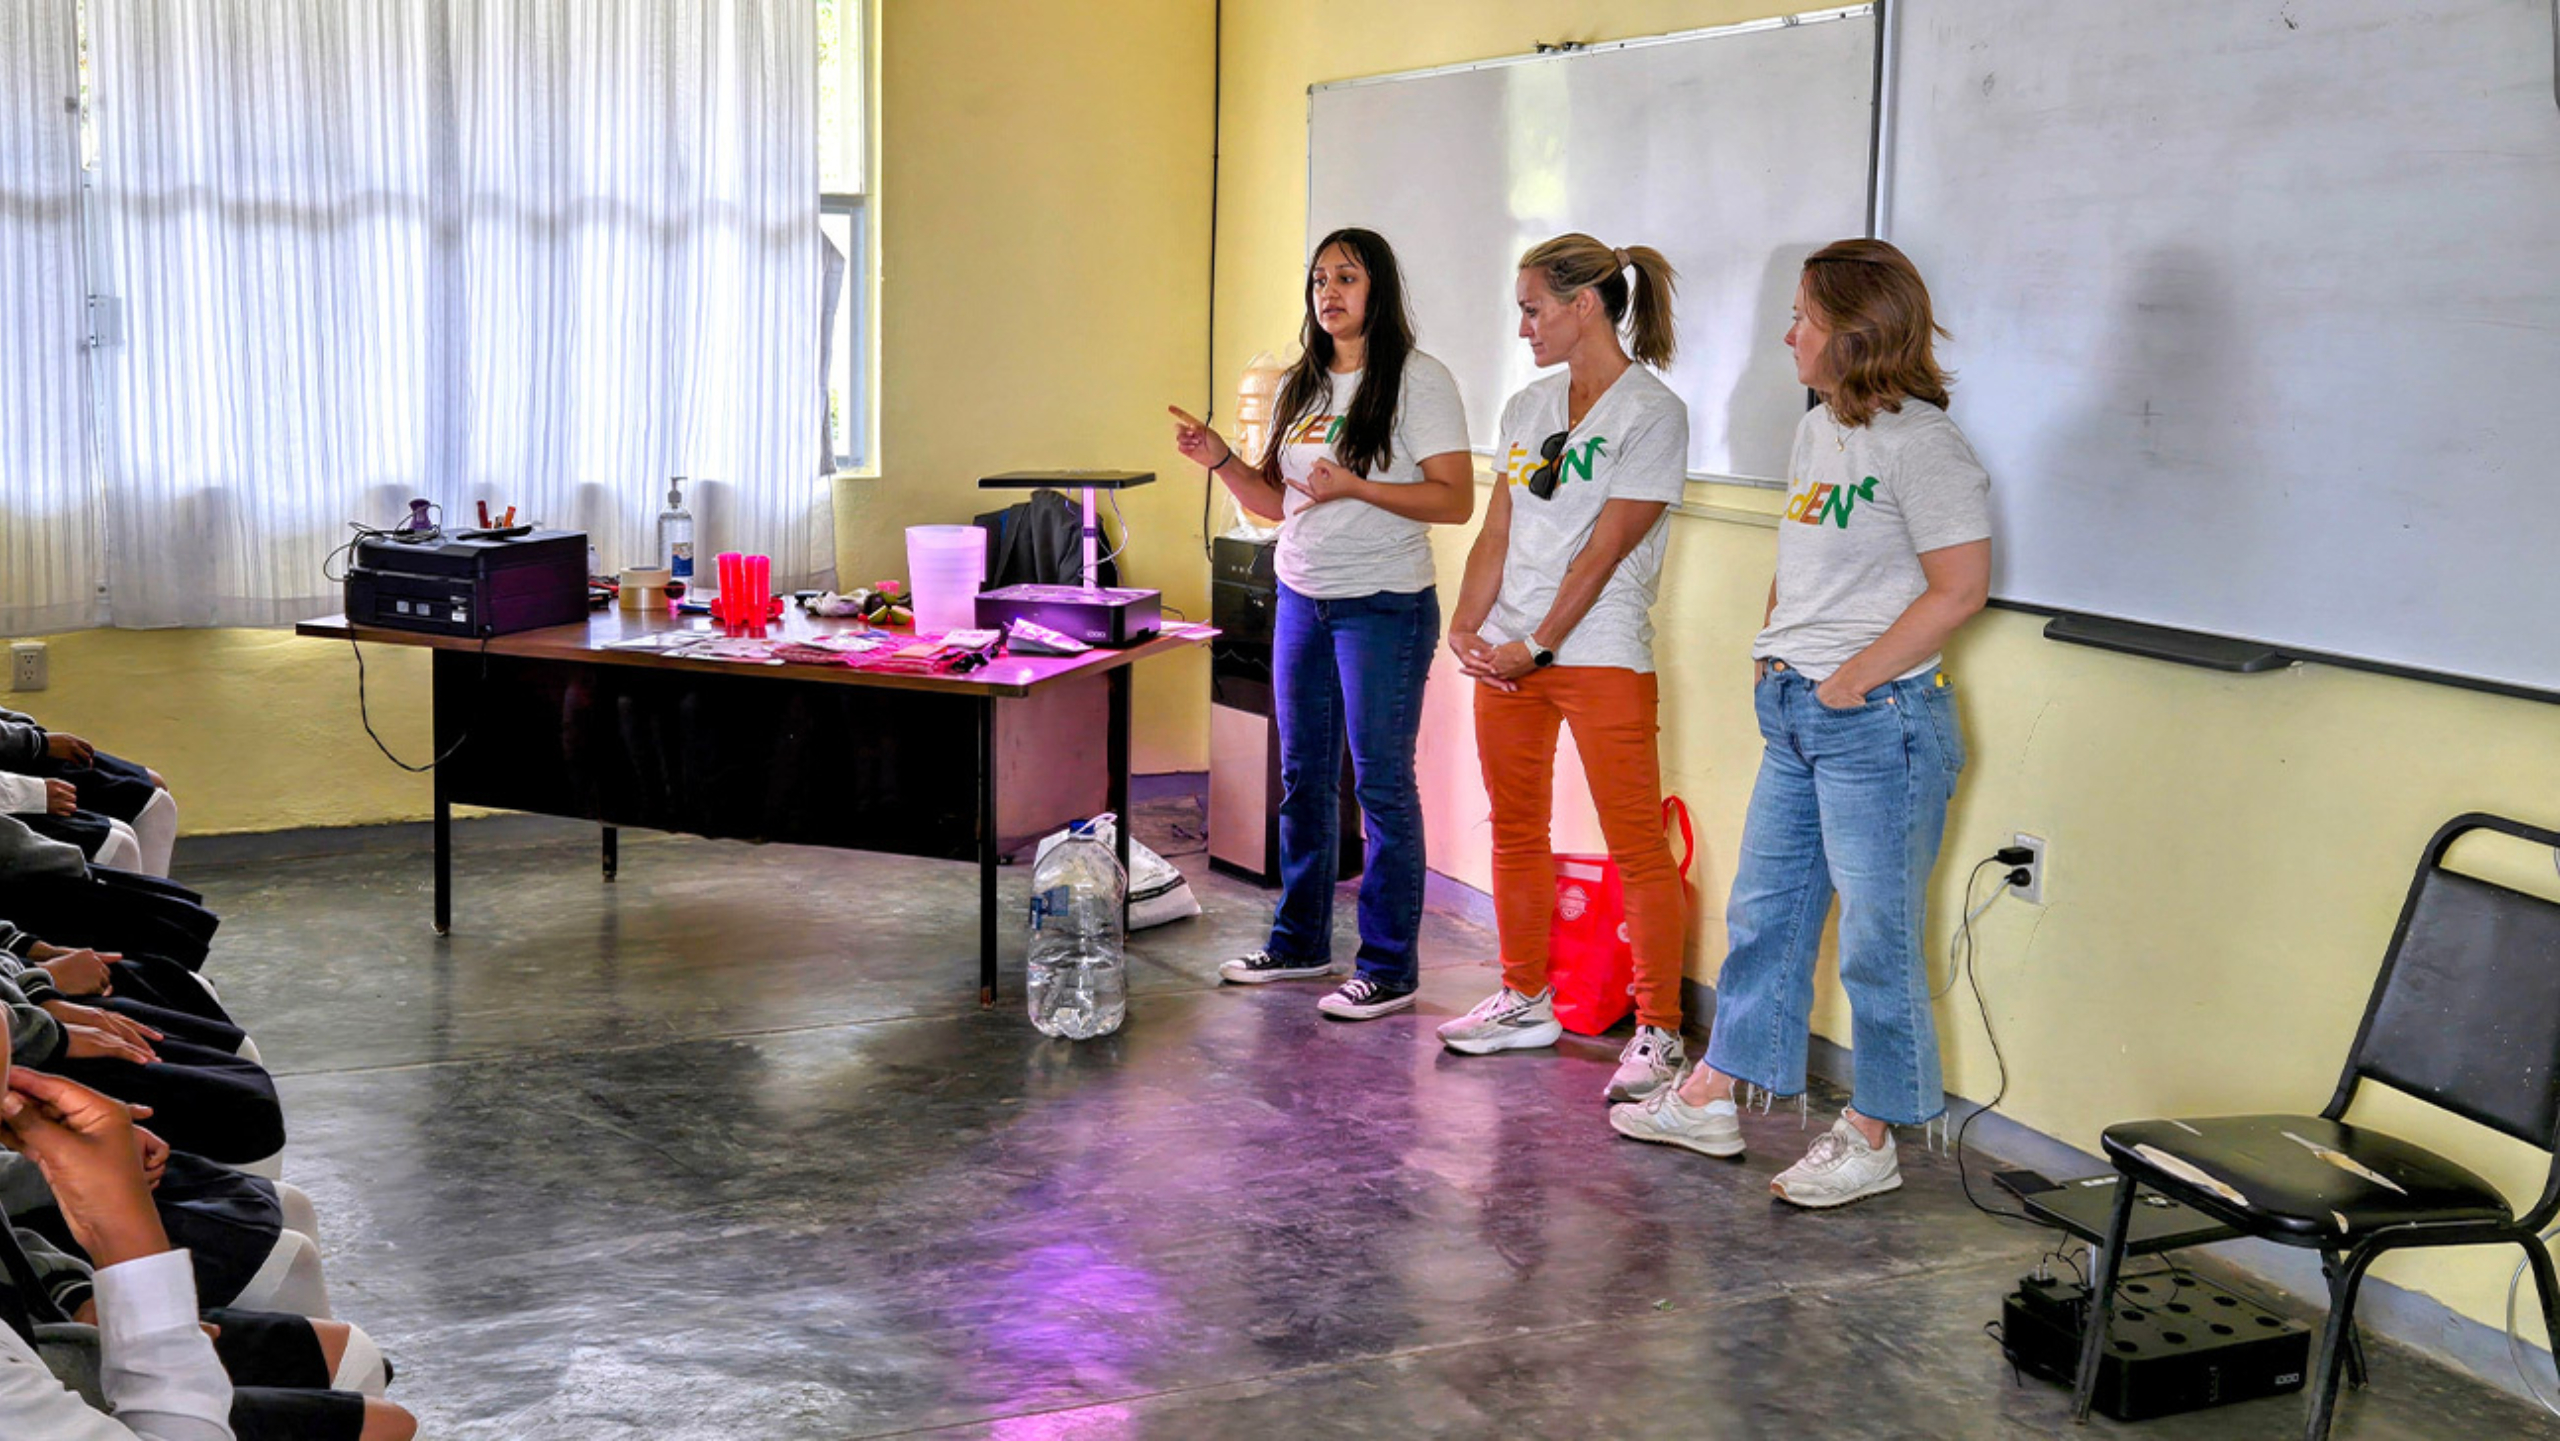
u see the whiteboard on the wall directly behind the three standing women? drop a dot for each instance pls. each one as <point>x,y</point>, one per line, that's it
<point>1734,152</point>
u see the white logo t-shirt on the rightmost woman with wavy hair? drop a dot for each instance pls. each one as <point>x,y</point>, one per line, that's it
<point>1862,508</point>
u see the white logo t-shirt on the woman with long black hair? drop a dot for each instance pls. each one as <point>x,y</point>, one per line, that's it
<point>1348,546</point>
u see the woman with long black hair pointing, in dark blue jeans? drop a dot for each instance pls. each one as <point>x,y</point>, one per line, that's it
<point>1368,452</point>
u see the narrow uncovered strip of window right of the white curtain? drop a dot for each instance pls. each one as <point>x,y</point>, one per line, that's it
<point>844,219</point>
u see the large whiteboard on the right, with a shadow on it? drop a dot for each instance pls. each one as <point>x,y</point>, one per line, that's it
<point>2257,311</point>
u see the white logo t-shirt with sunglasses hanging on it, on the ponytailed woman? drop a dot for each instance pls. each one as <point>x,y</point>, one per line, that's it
<point>1635,444</point>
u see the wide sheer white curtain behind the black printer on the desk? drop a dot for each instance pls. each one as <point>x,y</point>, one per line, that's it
<point>531,252</point>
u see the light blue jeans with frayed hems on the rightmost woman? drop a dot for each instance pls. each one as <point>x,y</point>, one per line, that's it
<point>1855,805</point>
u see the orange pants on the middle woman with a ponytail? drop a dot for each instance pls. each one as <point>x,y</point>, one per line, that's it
<point>1614,715</point>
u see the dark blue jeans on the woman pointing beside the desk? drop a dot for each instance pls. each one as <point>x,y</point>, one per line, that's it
<point>1363,659</point>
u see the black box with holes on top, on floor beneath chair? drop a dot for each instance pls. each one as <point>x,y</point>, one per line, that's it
<point>2177,1342</point>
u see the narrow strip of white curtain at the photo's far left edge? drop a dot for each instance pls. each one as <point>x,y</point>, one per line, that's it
<point>50,531</point>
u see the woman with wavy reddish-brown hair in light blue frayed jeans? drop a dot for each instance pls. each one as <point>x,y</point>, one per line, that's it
<point>1883,554</point>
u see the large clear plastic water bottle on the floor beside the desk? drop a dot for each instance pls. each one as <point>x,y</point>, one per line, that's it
<point>1079,979</point>
